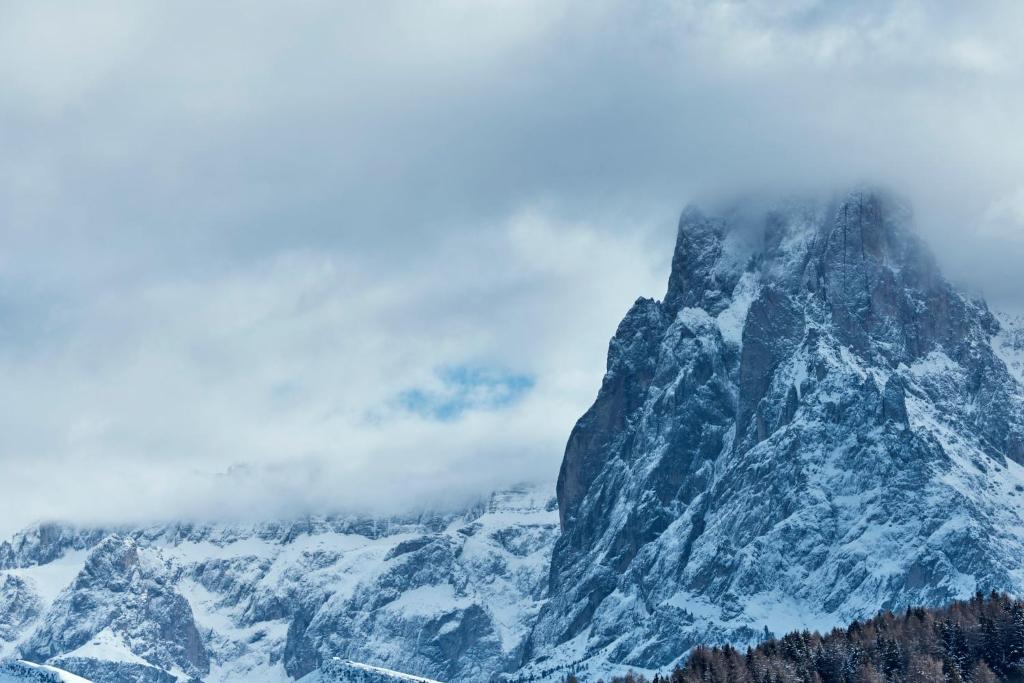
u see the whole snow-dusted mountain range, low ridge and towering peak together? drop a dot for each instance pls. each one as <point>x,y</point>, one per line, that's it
<point>812,426</point>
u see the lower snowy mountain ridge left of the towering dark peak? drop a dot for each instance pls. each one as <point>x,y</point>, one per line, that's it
<point>452,596</point>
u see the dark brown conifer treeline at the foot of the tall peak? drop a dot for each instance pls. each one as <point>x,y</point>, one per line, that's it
<point>980,641</point>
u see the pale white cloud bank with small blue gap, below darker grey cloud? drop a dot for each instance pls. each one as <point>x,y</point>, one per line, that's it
<point>313,381</point>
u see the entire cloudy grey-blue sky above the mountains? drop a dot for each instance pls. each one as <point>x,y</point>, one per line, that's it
<point>265,260</point>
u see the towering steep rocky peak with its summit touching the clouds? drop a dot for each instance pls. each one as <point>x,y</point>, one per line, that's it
<point>804,432</point>
